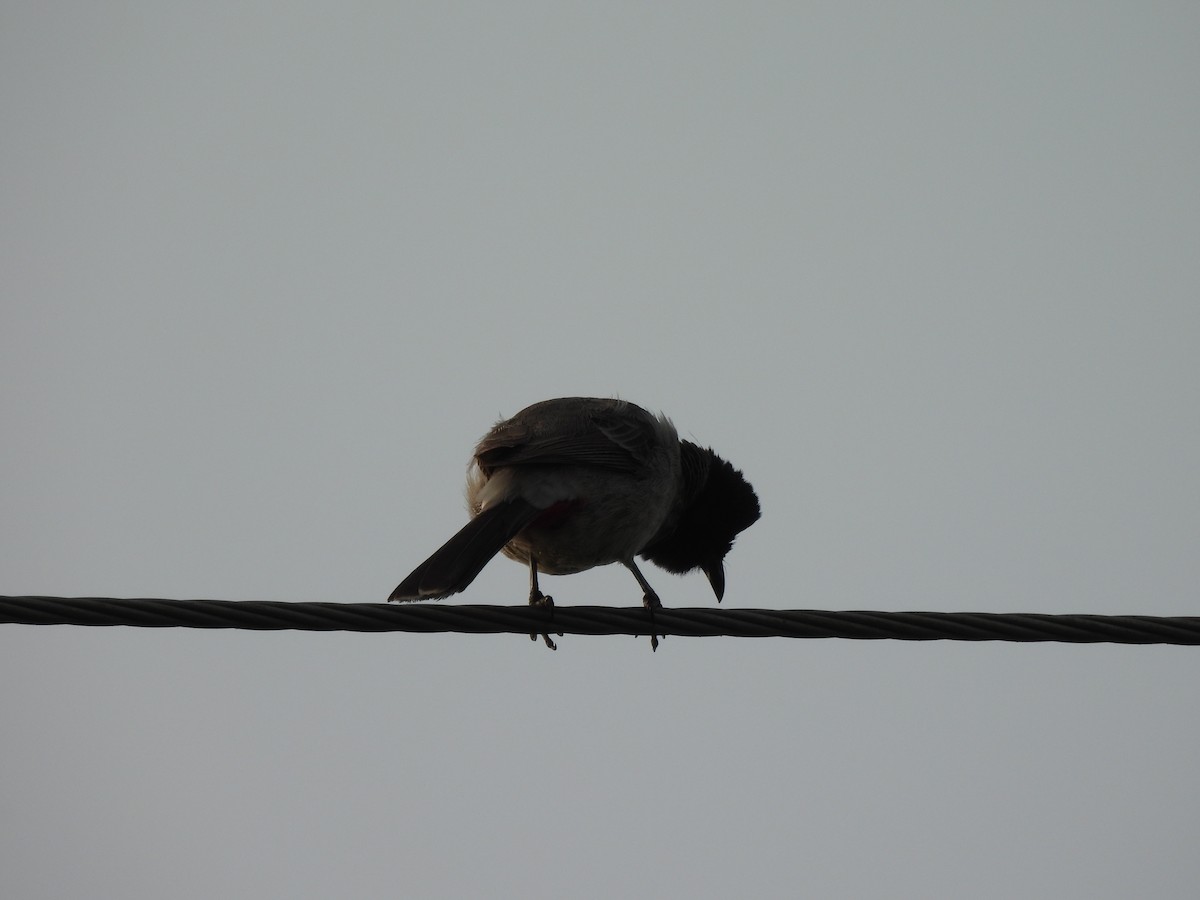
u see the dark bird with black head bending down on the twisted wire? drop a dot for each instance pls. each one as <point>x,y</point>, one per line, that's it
<point>575,483</point>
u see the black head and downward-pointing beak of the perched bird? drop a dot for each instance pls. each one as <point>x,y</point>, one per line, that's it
<point>717,505</point>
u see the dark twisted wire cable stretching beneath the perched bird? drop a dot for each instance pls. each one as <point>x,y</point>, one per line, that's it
<point>428,619</point>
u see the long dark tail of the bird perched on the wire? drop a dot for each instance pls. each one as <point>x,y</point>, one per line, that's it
<point>461,559</point>
